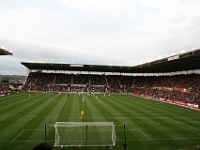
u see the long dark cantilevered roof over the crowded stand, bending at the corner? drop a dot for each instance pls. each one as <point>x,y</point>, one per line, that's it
<point>180,62</point>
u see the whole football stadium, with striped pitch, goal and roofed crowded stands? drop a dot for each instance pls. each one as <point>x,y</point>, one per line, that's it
<point>152,106</point>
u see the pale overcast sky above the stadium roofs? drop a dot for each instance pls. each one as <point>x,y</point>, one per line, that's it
<point>99,32</point>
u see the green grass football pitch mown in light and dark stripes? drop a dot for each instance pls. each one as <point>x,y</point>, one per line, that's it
<point>150,125</point>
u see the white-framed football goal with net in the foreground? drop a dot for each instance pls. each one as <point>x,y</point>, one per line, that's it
<point>85,134</point>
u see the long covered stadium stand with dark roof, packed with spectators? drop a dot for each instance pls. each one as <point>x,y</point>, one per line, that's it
<point>174,79</point>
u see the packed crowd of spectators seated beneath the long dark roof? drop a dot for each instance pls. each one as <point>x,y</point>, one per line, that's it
<point>184,88</point>
